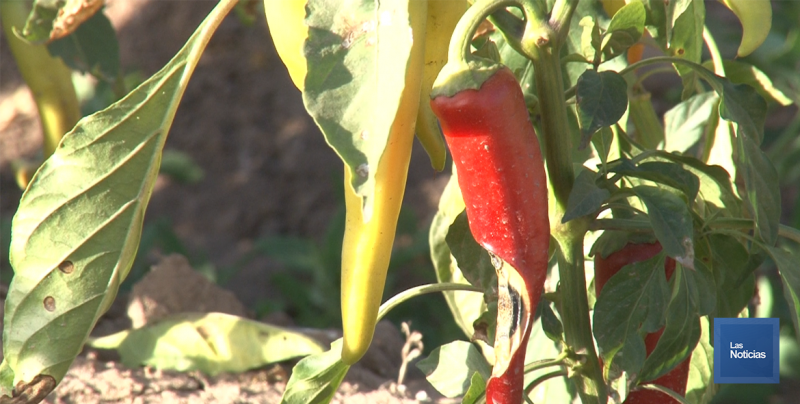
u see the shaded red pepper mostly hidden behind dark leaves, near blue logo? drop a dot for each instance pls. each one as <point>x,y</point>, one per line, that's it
<point>604,269</point>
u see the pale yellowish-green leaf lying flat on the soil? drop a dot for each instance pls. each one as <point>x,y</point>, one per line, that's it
<point>212,343</point>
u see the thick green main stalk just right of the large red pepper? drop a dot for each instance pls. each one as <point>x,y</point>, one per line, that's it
<point>542,44</point>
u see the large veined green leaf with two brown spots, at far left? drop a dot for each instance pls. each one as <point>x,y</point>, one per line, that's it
<point>78,225</point>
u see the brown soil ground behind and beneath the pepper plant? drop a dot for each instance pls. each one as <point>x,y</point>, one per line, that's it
<point>268,171</point>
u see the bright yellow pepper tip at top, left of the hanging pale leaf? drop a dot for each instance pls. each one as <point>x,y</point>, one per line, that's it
<point>287,27</point>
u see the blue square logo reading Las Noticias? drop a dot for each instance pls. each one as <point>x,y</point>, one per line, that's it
<point>746,350</point>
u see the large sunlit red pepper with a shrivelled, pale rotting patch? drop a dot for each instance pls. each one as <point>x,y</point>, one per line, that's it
<point>502,179</point>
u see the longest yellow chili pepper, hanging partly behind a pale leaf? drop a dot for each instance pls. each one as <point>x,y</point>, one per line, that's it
<point>367,245</point>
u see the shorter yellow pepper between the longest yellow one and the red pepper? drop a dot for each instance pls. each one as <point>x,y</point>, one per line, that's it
<point>443,15</point>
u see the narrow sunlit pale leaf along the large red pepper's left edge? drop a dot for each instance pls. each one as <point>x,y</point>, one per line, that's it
<point>465,306</point>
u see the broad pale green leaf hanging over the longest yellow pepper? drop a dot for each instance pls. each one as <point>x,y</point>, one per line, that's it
<point>358,53</point>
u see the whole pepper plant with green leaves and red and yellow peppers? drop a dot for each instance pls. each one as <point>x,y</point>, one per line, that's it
<point>559,160</point>
